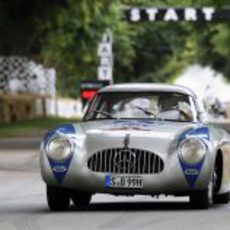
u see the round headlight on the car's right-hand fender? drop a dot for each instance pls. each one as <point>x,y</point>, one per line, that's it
<point>192,151</point>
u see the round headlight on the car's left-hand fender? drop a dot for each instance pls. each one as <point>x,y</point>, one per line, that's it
<point>59,148</point>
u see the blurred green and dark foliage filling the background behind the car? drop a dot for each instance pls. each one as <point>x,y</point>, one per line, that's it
<point>64,34</point>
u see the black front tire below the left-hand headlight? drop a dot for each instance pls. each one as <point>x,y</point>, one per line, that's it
<point>58,199</point>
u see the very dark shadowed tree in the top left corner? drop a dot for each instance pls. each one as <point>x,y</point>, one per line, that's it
<point>21,25</point>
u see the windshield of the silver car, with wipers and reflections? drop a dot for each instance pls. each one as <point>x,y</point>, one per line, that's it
<point>142,105</point>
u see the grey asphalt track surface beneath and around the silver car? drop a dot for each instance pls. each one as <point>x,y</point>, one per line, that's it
<point>23,202</point>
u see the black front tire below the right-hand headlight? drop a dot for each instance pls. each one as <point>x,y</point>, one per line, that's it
<point>200,199</point>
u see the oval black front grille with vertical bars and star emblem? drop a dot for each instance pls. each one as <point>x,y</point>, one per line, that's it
<point>125,161</point>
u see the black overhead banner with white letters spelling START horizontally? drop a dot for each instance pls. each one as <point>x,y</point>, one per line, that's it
<point>176,14</point>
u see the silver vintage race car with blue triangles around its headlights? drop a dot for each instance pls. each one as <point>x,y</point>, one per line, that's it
<point>138,139</point>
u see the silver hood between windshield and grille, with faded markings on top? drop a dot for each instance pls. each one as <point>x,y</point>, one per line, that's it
<point>156,136</point>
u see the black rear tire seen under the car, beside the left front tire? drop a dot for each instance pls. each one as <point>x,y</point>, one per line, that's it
<point>81,200</point>
